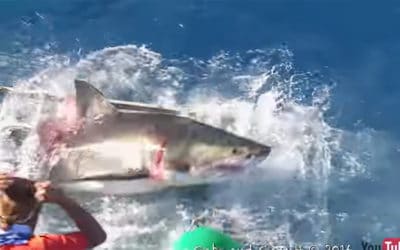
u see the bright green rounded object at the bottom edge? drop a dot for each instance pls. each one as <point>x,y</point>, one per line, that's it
<point>205,238</point>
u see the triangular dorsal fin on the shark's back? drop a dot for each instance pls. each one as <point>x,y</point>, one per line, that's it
<point>90,101</point>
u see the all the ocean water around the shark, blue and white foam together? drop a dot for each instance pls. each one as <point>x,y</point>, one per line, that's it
<point>317,80</point>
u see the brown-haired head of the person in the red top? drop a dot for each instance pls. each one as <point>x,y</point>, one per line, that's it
<point>17,202</point>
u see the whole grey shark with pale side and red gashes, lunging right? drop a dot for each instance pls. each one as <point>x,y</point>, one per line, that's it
<point>118,142</point>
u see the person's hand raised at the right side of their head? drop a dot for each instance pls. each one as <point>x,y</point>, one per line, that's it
<point>46,192</point>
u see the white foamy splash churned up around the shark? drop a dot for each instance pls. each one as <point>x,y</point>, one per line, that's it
<point>261,99</point>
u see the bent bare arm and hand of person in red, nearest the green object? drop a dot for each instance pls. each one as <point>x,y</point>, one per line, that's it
<point>86,223</point>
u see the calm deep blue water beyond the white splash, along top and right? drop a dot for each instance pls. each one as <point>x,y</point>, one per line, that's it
<point>352,45</point>
